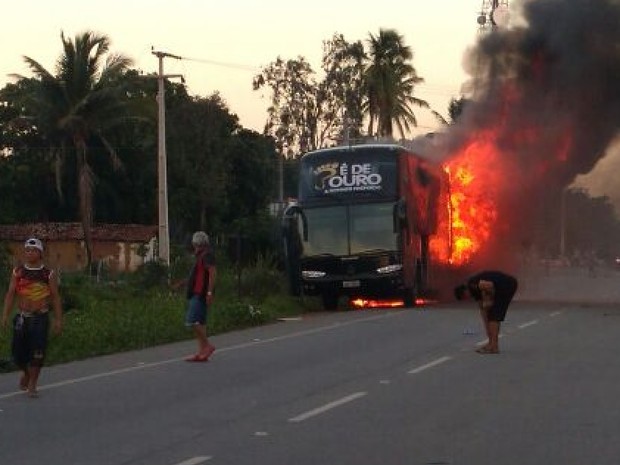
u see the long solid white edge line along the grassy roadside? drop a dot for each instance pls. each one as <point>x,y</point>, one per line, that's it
<point>142,365</point>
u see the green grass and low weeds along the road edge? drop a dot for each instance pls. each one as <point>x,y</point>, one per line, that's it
<point>116,316</point>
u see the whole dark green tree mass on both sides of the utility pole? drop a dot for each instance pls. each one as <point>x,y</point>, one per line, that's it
<point>218,172</point>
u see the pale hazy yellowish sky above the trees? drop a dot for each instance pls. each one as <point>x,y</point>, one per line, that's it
<point>246,34</point>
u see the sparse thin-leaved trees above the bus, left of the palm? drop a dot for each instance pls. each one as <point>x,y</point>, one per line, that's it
<point>307,113</point>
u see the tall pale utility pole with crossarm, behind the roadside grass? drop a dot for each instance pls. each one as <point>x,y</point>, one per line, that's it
<point>162,188</point>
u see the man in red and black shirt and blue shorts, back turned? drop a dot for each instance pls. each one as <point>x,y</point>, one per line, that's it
<point>200,287</point>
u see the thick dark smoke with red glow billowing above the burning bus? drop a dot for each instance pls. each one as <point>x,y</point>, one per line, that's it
<point>549,89</point>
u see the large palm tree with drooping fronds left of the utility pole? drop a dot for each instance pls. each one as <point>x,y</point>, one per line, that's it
<point>77,104</point>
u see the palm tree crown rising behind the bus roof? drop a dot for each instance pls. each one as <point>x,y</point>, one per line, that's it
<point>389,84</point>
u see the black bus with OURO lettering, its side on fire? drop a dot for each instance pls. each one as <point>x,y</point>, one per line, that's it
<point>362,224</point>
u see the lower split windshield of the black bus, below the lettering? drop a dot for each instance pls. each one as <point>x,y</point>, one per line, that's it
<point>350,229</point>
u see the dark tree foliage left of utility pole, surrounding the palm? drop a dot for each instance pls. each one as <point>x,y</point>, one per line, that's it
<point>38,179</point>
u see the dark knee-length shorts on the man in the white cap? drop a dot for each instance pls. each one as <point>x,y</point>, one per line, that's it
<point>30,335</point>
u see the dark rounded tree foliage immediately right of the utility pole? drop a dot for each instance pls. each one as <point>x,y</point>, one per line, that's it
<point>218,171</point>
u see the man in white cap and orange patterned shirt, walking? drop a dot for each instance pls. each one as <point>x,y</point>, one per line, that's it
<point>36,288</point>
